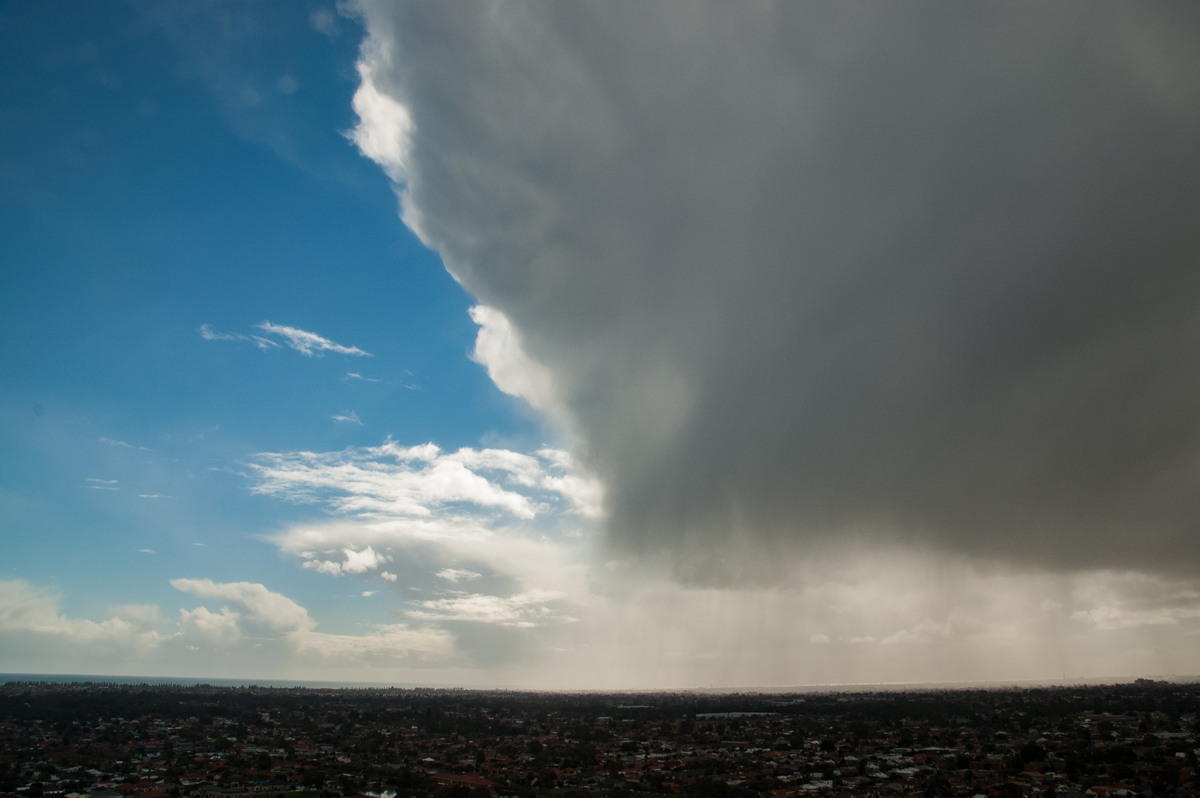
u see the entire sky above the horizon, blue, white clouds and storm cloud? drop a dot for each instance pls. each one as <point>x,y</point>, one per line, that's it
<point>581,345</point>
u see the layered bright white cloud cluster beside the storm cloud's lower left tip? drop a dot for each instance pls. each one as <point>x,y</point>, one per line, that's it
<point>488,547</point>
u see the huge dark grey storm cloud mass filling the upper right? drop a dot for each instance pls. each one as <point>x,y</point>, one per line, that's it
<point>807,272</point>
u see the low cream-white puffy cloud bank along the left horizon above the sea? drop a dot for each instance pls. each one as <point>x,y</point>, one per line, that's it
<point>254,632</point>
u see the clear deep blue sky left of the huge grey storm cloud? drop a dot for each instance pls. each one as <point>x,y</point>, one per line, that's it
<point>171,167</point>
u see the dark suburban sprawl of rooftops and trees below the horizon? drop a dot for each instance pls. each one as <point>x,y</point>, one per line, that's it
<point>107,741</point>
